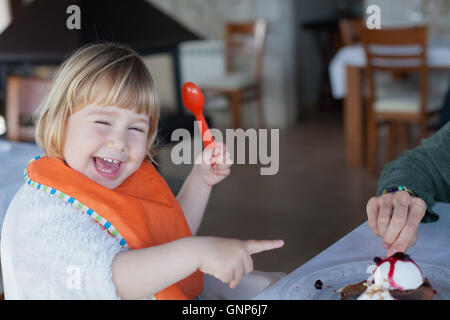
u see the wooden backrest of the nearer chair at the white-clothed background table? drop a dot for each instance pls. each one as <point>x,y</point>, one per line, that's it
<point>396,50</point>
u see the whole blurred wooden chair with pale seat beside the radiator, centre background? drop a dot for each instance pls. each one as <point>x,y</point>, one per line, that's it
<point>242,41</point>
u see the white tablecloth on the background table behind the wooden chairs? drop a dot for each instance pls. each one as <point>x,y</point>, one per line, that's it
<point>438,57</point>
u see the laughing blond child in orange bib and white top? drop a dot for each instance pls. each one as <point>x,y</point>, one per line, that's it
<point>94,219</point>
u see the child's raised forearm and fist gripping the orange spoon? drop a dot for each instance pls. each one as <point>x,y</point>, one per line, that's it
<point>193,196</point>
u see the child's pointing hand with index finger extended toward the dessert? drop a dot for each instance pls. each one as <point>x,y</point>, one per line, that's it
<point>230,259</point>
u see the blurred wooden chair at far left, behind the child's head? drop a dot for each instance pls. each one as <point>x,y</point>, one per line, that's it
<point>22,99</point>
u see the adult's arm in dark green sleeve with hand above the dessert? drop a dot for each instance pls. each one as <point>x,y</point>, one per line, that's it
<point>395,217</point>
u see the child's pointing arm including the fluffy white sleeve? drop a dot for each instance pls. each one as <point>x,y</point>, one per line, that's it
<point>59,253</point>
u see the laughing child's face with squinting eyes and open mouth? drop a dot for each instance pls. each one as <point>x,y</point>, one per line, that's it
<point>106,144</point>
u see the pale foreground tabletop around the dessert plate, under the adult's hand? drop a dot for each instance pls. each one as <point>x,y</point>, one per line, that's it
<point>433,246</point>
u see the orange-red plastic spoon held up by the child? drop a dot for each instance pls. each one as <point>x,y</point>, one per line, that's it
<point>193,100</point>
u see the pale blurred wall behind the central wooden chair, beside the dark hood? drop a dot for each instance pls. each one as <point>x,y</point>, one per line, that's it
<point>207,17</point>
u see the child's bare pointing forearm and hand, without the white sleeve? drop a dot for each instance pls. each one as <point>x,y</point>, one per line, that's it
<point>144,272</point>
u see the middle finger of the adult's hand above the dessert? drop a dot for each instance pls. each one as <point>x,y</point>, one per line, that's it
<point>400,201</point>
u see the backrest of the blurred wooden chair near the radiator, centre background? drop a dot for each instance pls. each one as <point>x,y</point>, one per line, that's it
<point>245,39</point>
